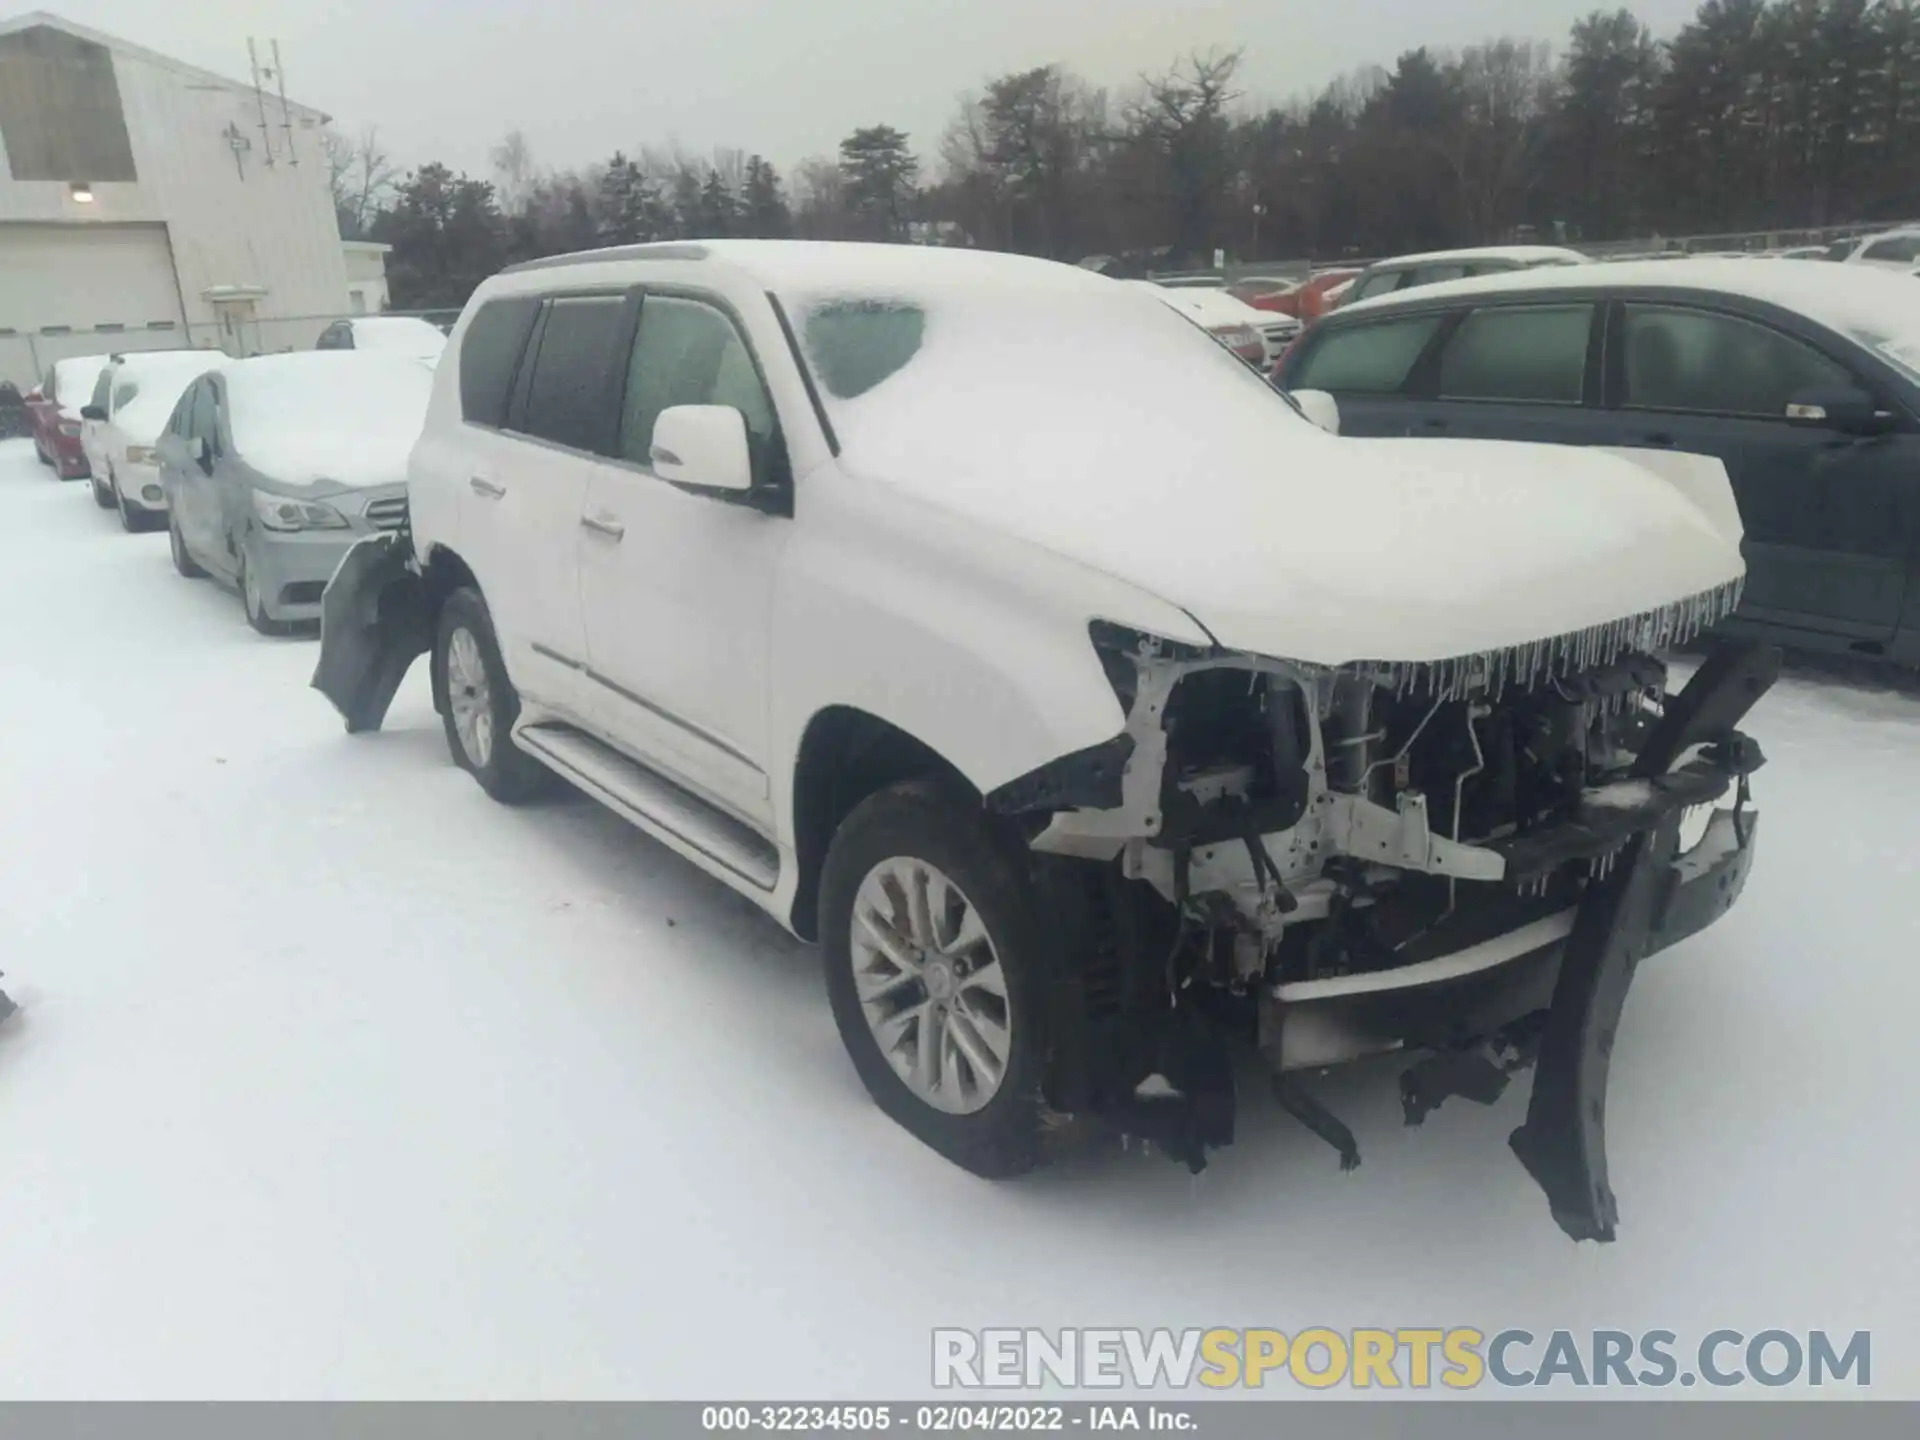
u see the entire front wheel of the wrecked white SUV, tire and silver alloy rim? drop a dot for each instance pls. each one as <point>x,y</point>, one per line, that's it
<point>934,972</point>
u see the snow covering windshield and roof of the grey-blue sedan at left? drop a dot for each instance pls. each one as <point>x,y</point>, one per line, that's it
<point>327,416</point>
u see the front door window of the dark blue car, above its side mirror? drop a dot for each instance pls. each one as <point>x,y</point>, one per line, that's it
<point>1689,360</point>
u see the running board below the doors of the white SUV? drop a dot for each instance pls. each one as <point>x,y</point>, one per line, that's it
<point>654,804</point>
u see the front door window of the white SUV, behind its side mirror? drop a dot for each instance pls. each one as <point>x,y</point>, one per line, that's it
<point>690,354</point>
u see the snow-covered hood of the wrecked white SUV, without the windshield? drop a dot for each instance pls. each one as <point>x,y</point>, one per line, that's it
<point>1333,550</point>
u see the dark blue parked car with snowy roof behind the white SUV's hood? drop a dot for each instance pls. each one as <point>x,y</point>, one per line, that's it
<point>1802,379</point>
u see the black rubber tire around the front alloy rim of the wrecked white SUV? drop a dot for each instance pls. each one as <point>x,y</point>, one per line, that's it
<point>930,823</point>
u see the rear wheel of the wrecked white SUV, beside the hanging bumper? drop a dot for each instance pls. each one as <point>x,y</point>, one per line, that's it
<point>481,702</point>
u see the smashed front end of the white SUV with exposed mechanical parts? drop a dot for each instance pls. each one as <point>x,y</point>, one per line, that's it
<point>1462,861</point>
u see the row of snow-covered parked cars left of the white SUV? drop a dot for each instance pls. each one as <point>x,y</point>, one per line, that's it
<point>264,471</point>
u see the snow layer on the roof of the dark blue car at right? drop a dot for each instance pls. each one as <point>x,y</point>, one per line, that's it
<point>1852,299</point>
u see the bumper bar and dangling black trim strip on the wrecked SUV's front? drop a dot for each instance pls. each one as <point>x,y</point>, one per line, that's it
<point>1558,1003</point>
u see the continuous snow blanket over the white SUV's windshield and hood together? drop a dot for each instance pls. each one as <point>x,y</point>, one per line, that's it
<point>1182,473</point>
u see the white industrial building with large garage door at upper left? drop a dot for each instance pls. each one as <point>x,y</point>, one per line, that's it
<point>151,204</point>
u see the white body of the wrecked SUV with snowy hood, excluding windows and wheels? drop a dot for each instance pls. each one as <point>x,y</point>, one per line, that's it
<point>942,571</point>
